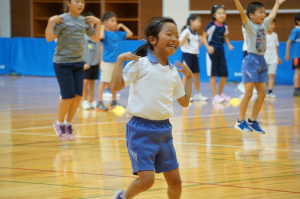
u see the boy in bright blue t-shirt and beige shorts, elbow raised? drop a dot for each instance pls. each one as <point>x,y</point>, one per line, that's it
<point>112,40</point>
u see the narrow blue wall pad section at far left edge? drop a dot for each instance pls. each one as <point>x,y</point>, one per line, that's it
<point>4,55</point>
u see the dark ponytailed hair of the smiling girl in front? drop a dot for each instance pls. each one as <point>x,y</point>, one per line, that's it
<point>152,30</point>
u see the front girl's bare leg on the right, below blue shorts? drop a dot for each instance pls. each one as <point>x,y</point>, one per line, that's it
<point>174,183</point>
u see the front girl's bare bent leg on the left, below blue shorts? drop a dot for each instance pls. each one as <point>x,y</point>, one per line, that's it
<point>141,184</point>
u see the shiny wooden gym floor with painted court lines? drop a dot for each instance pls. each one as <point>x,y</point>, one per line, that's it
<point>216,161</point>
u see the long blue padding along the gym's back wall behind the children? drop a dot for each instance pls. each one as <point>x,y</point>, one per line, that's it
<point>33,57</point>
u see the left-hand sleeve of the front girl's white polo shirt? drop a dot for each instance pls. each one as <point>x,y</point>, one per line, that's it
<point>130,72</point>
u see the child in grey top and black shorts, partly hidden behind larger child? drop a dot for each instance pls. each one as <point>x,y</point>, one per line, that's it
<point>91,56</point>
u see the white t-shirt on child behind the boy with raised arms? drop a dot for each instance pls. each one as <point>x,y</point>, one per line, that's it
<point>271,53</point>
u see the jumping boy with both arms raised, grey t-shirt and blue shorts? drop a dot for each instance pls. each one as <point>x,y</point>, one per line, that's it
<point>254,68</point>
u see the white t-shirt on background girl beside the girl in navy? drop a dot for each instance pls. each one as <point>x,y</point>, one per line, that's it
<point>192,43</point>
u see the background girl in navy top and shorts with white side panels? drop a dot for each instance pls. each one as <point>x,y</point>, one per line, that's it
<point>216,33</point>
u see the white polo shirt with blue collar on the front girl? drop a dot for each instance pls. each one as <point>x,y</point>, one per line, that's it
<point>152,88</point>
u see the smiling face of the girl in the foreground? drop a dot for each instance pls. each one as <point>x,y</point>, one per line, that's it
<point>168,40</point>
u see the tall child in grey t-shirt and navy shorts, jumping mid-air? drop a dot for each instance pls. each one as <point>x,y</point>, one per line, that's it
<point>69,29</point>
